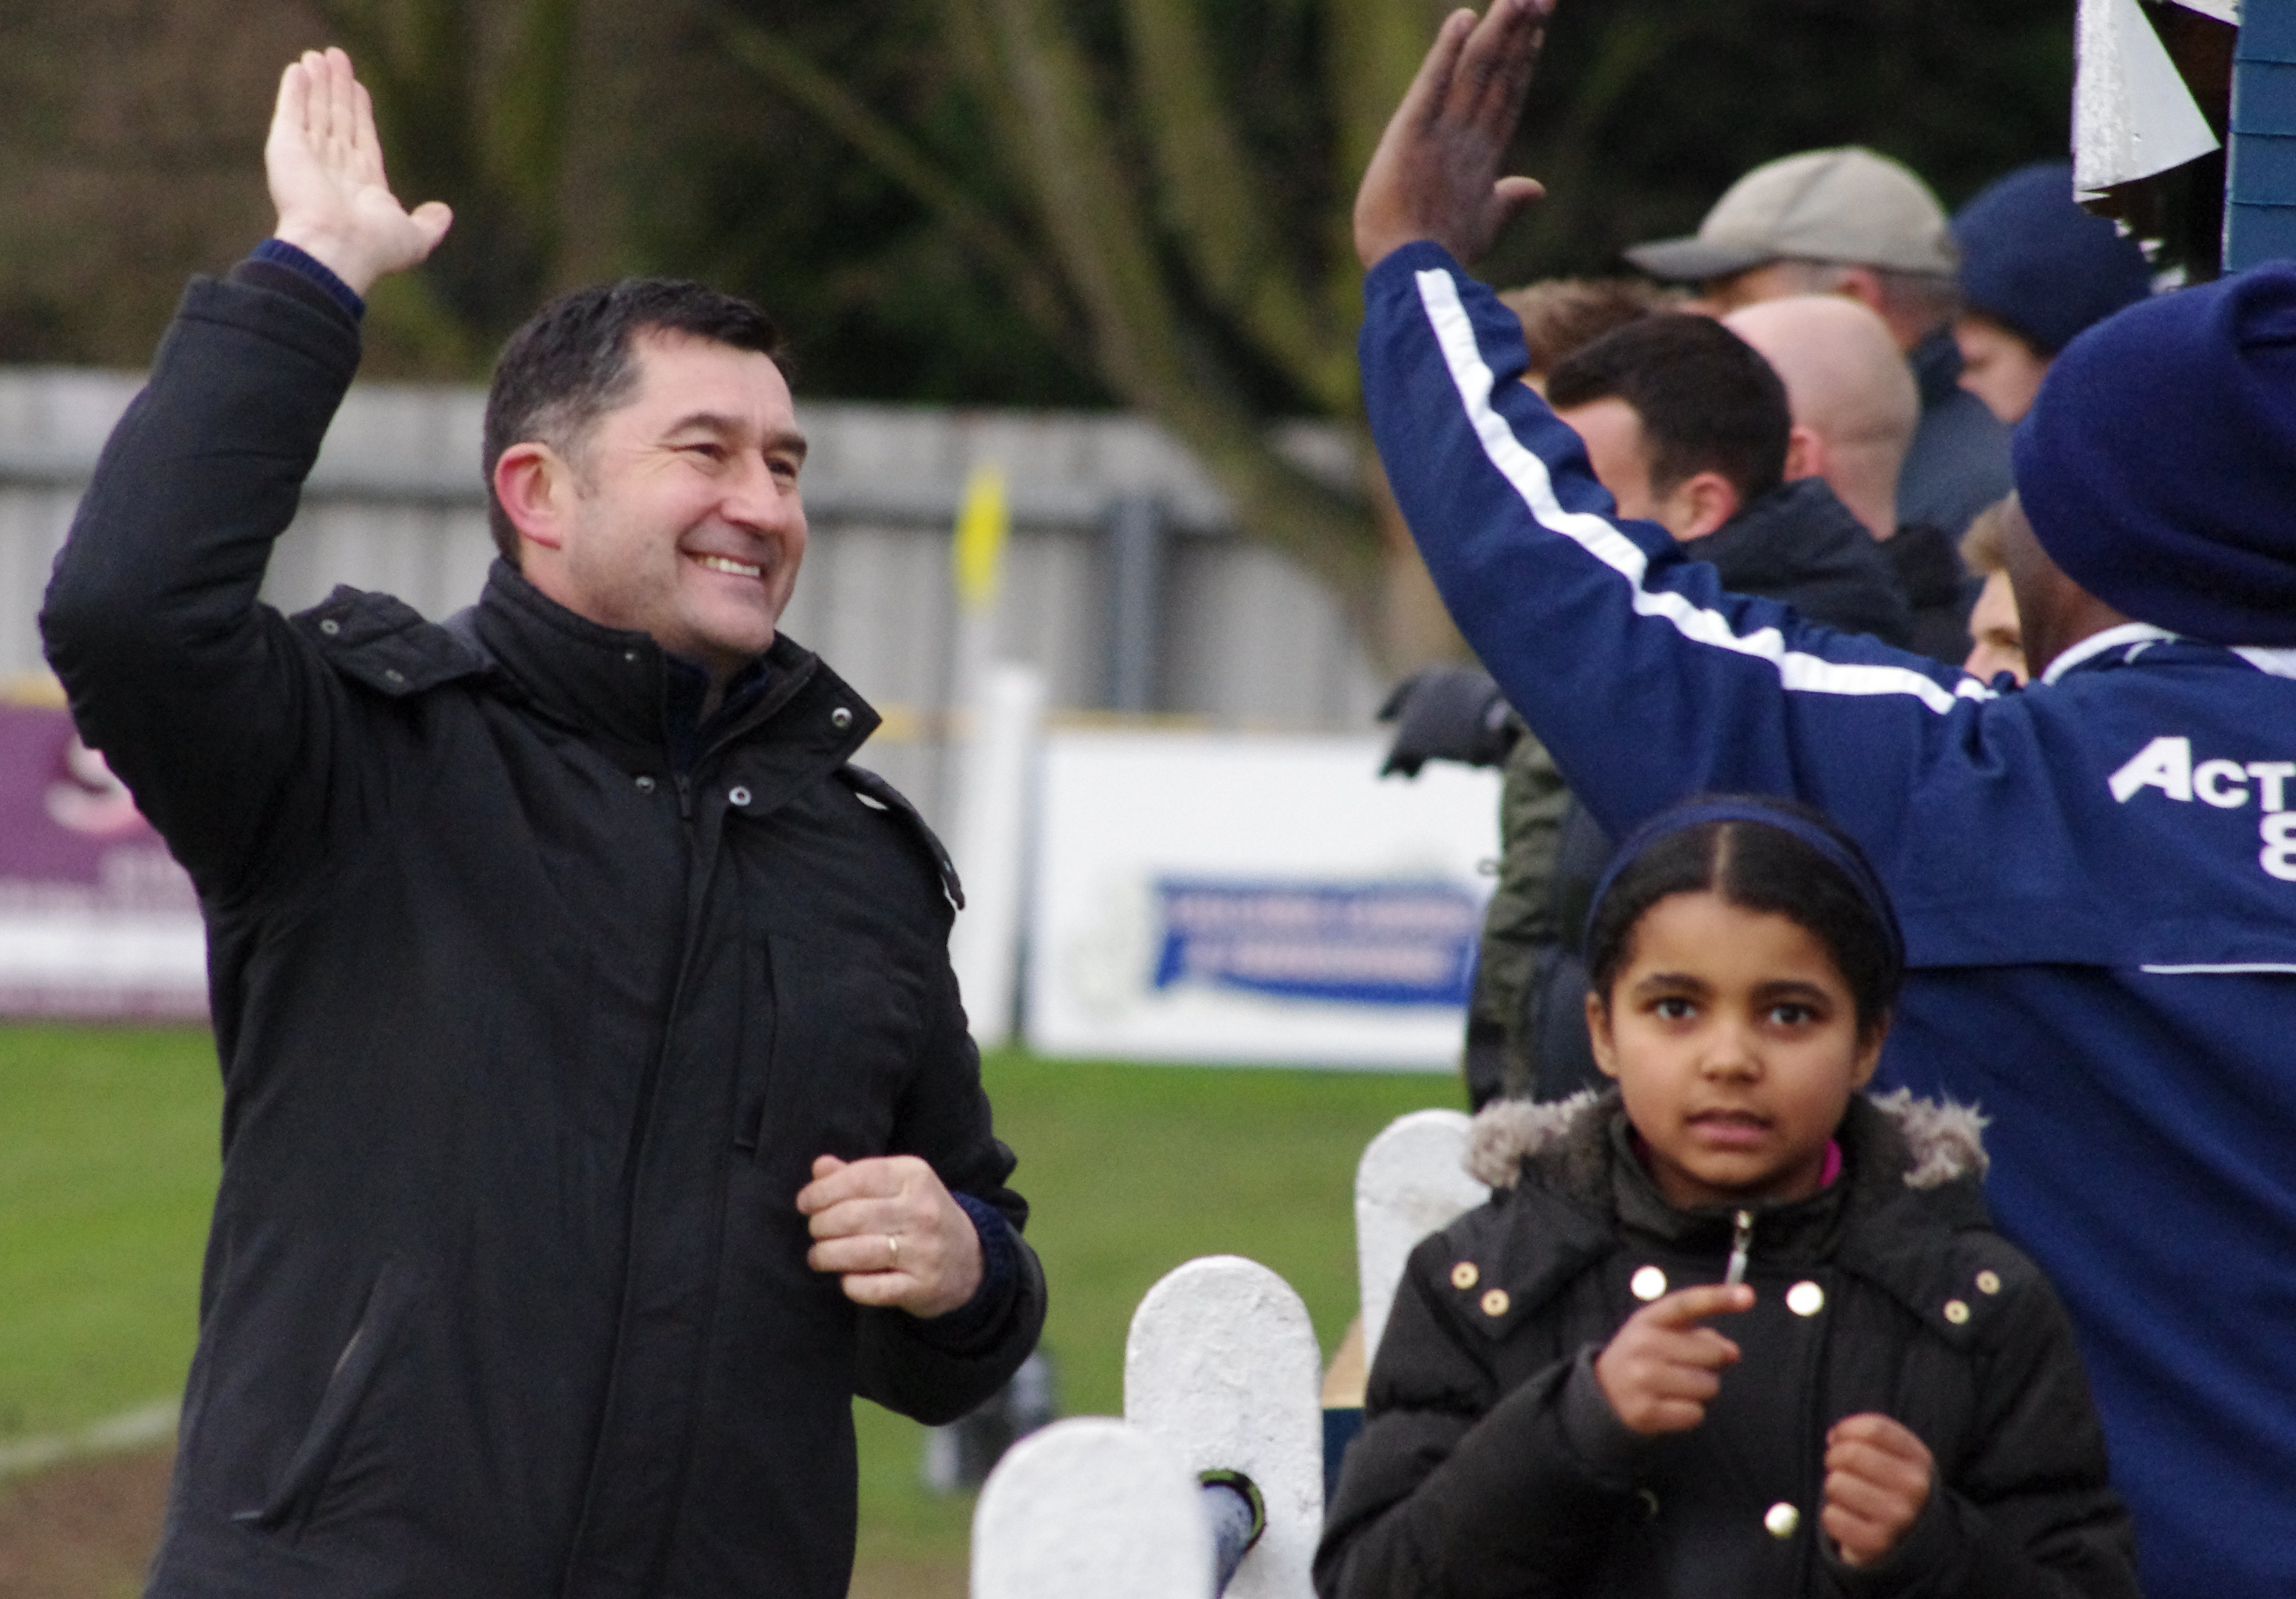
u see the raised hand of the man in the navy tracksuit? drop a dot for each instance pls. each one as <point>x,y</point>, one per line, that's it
<point>1436,173</point>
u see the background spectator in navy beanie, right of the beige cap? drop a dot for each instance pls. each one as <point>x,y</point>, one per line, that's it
<point>2035,270</point>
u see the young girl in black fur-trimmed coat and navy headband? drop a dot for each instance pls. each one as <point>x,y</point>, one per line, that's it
<point>1730,1329</point>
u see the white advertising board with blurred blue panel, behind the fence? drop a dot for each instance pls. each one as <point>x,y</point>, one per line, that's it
<point>1255,899</point>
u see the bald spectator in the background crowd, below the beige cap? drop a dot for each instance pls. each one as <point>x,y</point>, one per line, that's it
<point>1854,417</point>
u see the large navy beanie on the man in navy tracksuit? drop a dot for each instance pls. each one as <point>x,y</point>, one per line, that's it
<point>2159,461</point>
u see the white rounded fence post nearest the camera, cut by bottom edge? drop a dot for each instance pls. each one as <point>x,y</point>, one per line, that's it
<point>1092,1508</point>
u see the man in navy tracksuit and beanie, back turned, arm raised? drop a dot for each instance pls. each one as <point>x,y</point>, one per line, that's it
<point>2097,876</point>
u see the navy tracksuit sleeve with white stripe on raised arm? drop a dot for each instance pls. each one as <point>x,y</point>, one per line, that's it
<point>1640,674</point>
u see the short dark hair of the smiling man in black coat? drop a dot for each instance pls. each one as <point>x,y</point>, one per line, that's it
<point>573,362</point>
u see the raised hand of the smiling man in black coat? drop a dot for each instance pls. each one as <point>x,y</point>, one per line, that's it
<point>327,178</point>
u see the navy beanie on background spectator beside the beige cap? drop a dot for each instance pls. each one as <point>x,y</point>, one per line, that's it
<point>2040,265</point>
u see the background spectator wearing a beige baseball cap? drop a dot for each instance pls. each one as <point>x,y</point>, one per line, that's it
<point>1849,222</point>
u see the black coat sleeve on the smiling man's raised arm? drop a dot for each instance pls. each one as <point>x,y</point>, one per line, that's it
<point>205,702</point>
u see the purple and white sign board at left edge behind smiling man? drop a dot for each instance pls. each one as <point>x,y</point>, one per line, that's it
<point>95,916</point>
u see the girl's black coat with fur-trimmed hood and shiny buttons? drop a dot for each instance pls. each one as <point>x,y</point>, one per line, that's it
<point>1491,1465</point>
